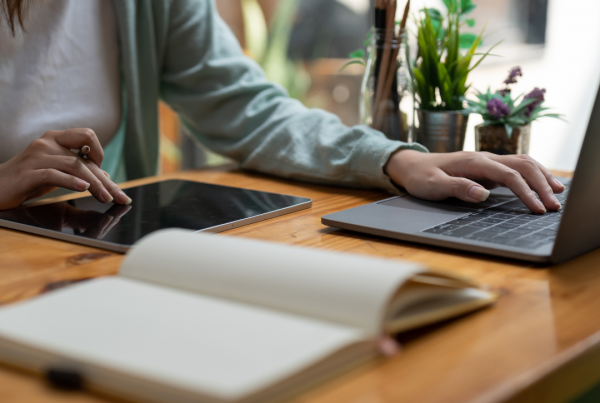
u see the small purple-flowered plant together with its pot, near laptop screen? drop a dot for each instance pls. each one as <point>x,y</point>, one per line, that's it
<point>506,127</point>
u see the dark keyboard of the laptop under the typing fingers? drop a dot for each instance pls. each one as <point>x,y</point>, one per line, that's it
<point>510,223</point>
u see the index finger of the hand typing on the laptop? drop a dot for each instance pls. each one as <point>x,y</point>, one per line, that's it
<point>492,170</point>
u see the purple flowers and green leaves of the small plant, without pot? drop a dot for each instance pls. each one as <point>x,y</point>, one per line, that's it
<point>500,108</point>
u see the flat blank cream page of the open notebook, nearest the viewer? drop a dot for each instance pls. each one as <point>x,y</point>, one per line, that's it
<point>190,341</point>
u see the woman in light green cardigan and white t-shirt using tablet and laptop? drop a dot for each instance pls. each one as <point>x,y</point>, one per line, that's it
<point>101,65</point>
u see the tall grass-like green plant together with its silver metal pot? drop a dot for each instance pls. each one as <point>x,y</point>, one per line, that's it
<point>440,75</point>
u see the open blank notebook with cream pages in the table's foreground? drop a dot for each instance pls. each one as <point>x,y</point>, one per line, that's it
<point>212,318</point>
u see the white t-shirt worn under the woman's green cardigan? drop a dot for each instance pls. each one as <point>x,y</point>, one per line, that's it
<point>62,72</point>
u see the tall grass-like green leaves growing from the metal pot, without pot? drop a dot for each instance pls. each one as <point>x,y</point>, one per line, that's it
<point>441,69</point>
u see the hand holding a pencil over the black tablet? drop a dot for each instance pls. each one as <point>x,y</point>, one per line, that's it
<point>48,162</point>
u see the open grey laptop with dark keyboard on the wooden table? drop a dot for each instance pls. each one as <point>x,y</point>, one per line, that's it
<point>501,226</point>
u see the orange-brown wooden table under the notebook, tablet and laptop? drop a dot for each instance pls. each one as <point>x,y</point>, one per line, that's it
<point>539,343</point>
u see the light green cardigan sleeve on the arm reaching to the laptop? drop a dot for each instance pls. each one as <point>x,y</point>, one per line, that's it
<point>228,104</point>
